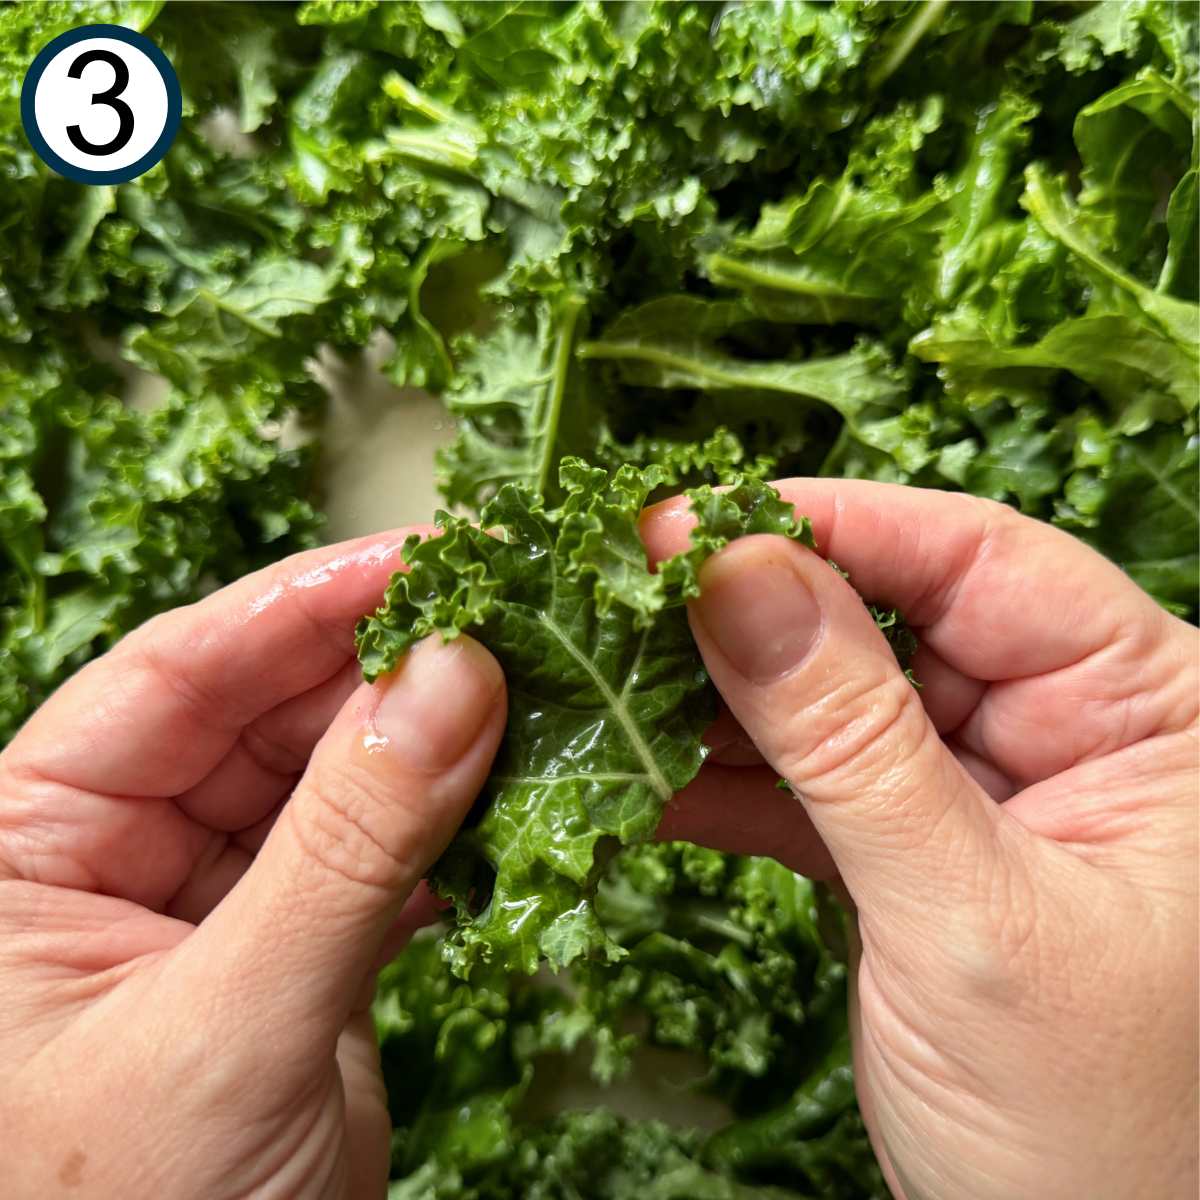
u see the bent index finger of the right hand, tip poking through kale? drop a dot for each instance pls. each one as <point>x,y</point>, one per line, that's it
<point>951,563</point>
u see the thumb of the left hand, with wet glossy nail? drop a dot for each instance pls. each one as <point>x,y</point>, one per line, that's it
<point>383,794</point>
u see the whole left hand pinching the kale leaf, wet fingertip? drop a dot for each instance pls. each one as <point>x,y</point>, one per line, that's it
<point>207,841</point>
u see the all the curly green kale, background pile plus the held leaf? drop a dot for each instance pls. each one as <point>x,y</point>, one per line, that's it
<point>945,244</point>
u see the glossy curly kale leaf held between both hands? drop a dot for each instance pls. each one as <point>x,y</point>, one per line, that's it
<point>608,699</point>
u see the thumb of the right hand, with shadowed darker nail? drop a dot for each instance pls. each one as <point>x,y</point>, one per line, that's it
<point>801,664</point>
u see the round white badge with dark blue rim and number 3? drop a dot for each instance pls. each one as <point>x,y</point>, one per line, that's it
<point>101,105</point>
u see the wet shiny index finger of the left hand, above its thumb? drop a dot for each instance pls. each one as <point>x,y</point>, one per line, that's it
<point>160,711</point>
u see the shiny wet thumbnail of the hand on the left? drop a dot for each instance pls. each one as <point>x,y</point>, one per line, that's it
<point>437,703</point>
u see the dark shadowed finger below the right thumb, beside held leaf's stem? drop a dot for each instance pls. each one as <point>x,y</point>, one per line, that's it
<point>742,812</point>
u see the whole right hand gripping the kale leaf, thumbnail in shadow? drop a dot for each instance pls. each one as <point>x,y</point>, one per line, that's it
<point>1019,837</point>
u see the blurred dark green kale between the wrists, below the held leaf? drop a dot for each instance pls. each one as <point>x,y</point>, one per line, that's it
<point>725,963</point>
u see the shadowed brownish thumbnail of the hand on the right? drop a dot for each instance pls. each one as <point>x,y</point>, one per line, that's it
<point>755,605</point>
